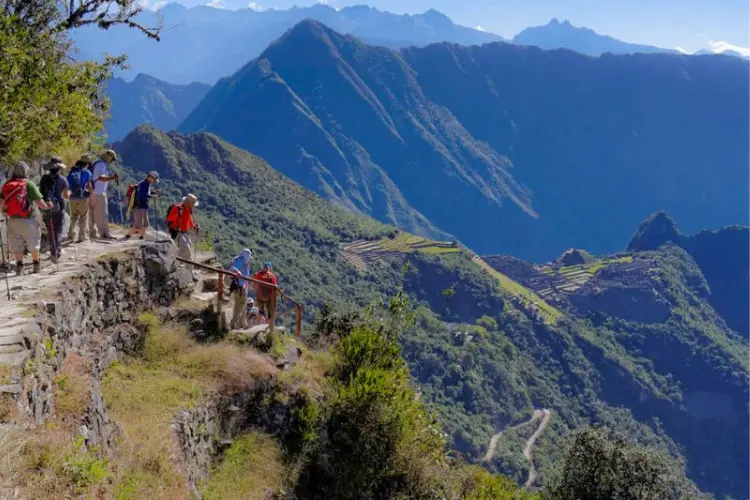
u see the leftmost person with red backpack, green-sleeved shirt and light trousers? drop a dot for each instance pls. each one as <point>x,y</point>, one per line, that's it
<point>23,232</point>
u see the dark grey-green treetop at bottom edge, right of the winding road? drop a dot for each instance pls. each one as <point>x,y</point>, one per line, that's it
<point>598,465</point>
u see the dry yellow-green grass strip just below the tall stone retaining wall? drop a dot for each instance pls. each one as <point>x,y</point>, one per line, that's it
<point>143,395</point>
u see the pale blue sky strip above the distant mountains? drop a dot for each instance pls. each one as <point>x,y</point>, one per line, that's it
<point>687,24</point>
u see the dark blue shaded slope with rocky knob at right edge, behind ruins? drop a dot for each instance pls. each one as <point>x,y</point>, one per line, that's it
<point>722,256</point>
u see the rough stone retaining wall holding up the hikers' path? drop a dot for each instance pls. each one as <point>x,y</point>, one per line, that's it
<point>89,315</point>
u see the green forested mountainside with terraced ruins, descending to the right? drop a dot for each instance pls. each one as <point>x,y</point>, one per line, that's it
<point>484,356</point>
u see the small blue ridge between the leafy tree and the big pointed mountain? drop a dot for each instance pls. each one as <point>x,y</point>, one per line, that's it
<point>149,100</point>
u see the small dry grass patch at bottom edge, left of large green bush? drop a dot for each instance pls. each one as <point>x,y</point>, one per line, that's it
<point>249,467</point>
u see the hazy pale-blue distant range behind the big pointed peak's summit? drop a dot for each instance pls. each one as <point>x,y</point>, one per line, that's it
<point>203,44</point>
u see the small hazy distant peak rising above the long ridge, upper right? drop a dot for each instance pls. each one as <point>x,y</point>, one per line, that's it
<point>563,35</point>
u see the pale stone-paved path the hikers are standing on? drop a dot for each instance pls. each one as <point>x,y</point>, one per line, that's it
<point>17,326</point>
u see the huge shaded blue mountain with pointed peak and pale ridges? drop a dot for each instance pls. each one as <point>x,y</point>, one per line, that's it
<point>510,149</point>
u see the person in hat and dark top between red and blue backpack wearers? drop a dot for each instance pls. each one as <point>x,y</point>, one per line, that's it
<point>54,189</point>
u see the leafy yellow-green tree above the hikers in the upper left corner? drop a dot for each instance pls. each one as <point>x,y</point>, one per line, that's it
<point>48,103</point>
